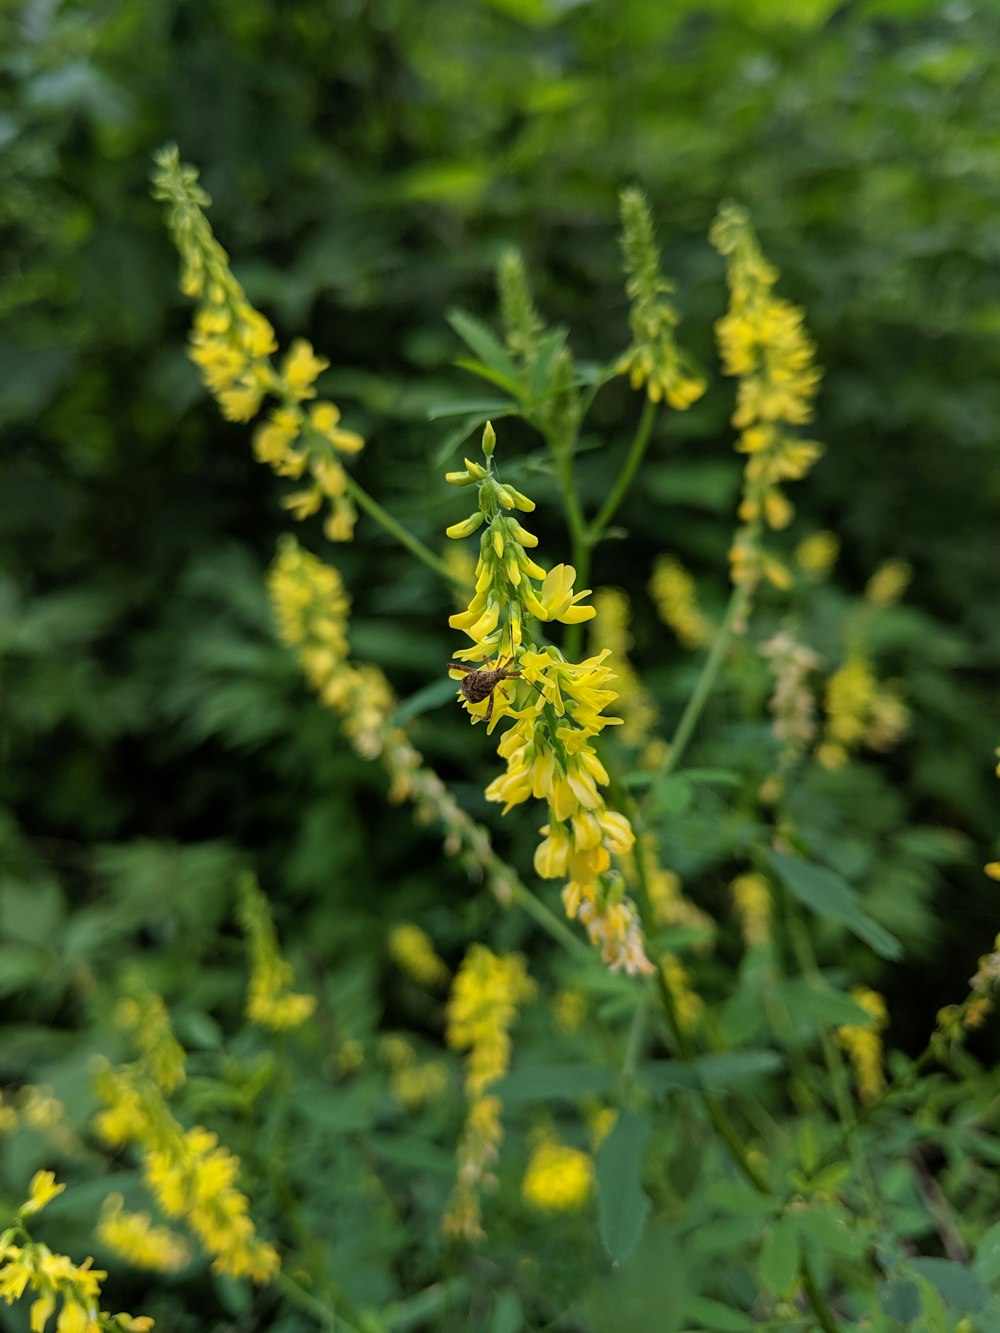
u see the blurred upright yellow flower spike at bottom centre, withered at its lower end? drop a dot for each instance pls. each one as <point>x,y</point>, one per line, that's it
<point>482,1010</point>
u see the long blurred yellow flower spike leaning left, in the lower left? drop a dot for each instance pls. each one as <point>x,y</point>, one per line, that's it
<point>187,1171</point>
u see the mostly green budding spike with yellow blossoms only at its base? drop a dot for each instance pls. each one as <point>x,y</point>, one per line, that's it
<point>654,359</point>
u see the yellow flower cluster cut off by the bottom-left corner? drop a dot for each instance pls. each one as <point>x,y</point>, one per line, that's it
<point>29,1267</point>
